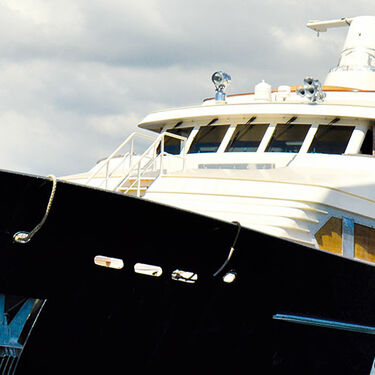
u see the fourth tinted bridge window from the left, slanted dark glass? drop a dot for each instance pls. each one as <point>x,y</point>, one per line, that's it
<point>287,138</point>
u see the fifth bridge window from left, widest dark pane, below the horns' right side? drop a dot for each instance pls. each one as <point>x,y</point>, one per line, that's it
<point>331,139</point>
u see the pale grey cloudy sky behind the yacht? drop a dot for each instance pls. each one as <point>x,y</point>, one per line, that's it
<point>76,76</point>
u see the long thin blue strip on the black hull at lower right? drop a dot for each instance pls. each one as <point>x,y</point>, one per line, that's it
<point>325,323</point>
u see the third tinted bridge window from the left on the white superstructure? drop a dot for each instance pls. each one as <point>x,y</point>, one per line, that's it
<point>246,138</point>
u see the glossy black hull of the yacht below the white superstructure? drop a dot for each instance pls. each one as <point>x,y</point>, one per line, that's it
<point>101,320</point>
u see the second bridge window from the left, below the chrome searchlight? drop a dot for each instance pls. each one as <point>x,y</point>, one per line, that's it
<point>208,139</point>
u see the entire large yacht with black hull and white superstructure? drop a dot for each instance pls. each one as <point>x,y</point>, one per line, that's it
<point>242,237</point>
